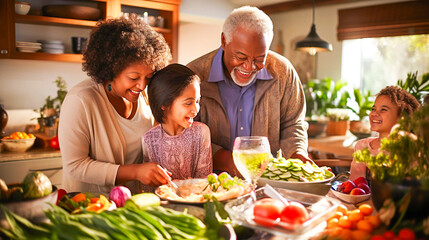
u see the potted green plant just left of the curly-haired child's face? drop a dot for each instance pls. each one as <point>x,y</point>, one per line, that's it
<point>361,108</point>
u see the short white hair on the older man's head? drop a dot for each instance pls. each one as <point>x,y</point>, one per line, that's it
<point>250,18</point>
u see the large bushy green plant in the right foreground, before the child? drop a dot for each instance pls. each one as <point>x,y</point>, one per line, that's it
<point>400,173</point>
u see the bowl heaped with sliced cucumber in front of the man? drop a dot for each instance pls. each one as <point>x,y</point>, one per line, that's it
<point>295,175</point>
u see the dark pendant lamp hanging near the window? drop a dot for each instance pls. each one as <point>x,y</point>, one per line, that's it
<point>313,43</point>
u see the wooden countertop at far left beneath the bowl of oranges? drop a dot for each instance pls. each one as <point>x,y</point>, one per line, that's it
<point>33,153</point>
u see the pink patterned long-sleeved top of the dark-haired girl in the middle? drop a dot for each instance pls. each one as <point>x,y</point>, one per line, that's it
<point>187,155</point>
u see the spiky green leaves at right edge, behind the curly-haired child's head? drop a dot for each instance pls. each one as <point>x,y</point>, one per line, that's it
<point>417,88</point>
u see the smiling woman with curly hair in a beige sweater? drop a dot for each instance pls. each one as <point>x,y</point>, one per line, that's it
<point>103,118</point>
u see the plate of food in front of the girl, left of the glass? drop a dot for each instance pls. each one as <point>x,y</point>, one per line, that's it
<point>193,190</point>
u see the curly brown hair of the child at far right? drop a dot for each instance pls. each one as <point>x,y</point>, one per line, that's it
<point>403,99</point>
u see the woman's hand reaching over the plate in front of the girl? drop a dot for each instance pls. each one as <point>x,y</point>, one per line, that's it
<point>153,174</point>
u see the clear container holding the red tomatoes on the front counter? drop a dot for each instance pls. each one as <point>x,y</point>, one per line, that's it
<point>320,208</point>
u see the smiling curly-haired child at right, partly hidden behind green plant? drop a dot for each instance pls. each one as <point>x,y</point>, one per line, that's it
<point>390,104</point>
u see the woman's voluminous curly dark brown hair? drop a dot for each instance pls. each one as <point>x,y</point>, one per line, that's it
<point>117,43</point>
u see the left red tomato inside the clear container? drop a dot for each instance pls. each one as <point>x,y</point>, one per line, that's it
<point>267,211</point>
